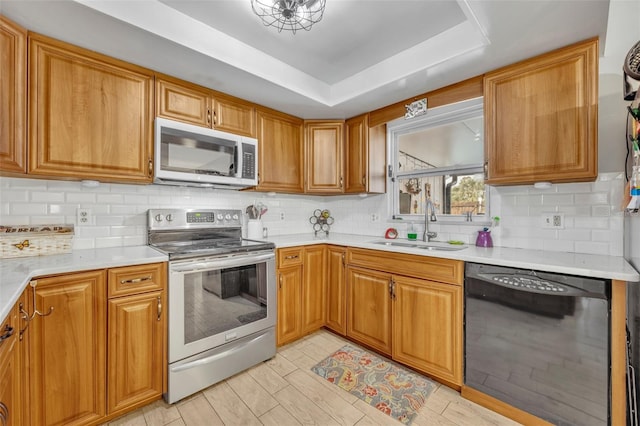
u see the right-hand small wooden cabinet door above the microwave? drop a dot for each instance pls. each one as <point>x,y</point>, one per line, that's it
<point>234,116</point>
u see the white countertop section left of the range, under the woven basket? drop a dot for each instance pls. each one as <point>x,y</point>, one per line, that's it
<point>15,273</point>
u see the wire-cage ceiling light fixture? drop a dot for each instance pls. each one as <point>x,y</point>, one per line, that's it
<point>290,15</point>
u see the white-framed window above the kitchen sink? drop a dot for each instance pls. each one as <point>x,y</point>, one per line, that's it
<point>439,156</point>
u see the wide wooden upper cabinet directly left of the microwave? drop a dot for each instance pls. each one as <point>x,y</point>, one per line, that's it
<point>90,116</point>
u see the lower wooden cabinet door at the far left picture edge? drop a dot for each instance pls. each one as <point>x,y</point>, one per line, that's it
<point>11,395</point>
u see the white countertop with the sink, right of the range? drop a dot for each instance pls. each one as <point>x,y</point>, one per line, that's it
<point>590,265</point>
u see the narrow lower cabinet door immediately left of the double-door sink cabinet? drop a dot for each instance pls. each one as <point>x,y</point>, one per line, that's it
<point>336,290</point>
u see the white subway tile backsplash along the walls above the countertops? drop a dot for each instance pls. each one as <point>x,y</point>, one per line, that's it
<point>593,219</point>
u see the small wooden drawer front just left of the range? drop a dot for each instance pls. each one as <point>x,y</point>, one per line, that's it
<point>136,279</point>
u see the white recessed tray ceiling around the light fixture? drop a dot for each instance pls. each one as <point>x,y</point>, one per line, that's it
<point>363,55</point>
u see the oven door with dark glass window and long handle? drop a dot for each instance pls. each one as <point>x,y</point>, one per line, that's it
<point>216,300</point>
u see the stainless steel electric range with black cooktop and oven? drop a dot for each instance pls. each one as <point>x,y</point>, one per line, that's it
<point>222,296</point>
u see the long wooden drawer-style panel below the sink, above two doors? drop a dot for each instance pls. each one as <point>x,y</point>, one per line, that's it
<point>425,267</point>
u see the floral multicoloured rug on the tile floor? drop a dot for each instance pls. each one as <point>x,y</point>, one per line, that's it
<point>378,382</point>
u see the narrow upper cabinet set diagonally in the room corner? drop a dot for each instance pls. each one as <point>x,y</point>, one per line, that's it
<point>324,156</point>
